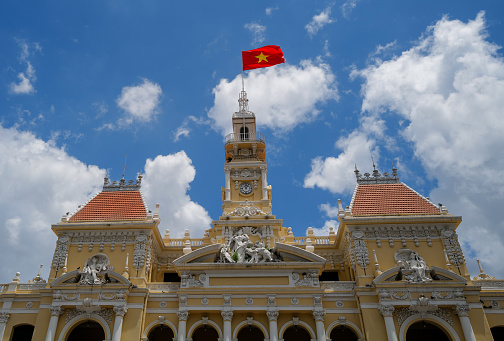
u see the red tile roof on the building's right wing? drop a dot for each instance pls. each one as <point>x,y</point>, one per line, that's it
<point>390,199</point>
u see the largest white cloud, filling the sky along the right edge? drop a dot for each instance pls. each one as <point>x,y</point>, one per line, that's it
<point>448,89</point>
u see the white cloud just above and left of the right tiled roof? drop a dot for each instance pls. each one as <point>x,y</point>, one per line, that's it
<point>333,173</point>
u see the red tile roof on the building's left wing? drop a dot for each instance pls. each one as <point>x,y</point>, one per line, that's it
<point>113,205</point>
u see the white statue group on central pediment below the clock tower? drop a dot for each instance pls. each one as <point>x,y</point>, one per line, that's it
<point>241,249</point>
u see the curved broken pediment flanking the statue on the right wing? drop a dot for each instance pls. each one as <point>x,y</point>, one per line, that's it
<point>435,274</point>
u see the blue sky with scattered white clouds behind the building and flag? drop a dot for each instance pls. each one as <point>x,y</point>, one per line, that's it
<point>86,85</point>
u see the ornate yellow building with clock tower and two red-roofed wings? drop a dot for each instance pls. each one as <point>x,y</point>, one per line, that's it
<point>393,270</point>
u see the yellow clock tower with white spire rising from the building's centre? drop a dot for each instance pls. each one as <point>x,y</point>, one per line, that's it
<point>247,195</point>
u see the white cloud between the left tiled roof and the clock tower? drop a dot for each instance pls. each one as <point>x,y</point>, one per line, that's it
<point>167,180</point>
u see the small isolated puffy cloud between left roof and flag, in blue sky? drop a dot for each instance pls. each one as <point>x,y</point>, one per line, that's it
<point>140,102</point>
